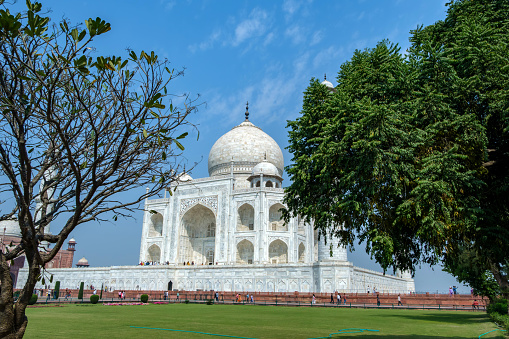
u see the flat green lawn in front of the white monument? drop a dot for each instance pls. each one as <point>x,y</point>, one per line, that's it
<point>248,321</point>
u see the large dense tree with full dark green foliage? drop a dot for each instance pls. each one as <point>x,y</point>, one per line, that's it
<point>411,152</point>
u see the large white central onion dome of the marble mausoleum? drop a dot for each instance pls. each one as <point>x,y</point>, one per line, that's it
<point>246,145</point>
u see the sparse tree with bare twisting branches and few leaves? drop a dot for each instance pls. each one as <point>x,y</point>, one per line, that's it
<point>76,131</point>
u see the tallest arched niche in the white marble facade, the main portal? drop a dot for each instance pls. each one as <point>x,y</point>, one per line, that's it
<point>197,236</point>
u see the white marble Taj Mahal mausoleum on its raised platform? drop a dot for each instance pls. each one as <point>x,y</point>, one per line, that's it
<point>225,233</point>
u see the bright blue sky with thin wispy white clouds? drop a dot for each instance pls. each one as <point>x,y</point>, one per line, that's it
<point>264,52</point>
